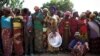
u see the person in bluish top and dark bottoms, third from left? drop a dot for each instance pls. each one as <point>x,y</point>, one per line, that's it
<point>28,36</point>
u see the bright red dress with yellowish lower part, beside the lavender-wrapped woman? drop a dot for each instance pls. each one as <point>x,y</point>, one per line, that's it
<point>83,29</point>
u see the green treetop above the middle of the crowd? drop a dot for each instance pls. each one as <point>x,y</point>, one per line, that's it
<point>60,4</point>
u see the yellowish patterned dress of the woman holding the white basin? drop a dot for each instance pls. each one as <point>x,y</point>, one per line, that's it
<point>52,28</point>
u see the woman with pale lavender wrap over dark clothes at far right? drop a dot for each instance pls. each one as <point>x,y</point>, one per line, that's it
<point>94,35</point>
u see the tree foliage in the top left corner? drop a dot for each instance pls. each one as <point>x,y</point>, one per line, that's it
<point>11,3</point>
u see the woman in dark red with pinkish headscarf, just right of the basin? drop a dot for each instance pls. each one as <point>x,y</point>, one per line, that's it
<point>64,29</point>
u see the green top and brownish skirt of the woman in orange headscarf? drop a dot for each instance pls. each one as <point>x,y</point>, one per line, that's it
<point>38,31</point>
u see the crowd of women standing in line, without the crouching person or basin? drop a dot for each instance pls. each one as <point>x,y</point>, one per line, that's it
<point>26,33</point>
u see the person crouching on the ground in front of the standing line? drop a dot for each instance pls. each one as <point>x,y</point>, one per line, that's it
<point>77,46</point>
